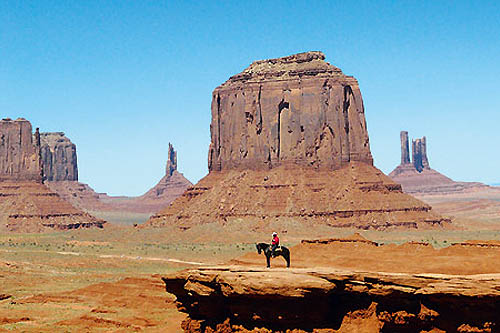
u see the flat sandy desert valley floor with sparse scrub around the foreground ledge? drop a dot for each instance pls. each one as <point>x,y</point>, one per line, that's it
<point>104,279</point>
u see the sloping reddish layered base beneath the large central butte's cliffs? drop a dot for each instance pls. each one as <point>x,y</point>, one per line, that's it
<point>356,196</point>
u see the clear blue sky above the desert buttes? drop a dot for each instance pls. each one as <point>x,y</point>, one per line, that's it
<point>122,79</point>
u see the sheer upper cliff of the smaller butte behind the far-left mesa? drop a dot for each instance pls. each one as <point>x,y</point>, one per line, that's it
<point>59,159</point>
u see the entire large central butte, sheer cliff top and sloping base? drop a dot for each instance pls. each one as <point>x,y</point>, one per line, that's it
<point>290,151</point>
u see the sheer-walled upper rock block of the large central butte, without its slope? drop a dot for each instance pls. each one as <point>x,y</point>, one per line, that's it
<point>292,110</point>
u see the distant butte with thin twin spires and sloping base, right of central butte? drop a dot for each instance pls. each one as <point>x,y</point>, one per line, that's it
<point>417,177</point>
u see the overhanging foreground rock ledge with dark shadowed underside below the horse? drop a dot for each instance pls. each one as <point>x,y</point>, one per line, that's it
<point>236,299</point>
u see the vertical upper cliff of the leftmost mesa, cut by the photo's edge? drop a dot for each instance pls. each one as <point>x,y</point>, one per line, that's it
<point>20,153</point>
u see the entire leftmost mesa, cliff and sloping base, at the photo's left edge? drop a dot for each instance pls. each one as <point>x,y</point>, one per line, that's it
<point>27,204</point>
